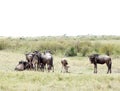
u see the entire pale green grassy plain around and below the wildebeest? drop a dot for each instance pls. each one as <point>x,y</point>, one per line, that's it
<point>80,78</point>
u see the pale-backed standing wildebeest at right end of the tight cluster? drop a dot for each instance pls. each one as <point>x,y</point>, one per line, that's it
<point>47,59</point>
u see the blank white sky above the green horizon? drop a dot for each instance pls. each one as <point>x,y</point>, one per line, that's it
<point>58,17</point>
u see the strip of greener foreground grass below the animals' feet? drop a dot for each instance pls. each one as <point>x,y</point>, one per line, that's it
<point>37,81</point>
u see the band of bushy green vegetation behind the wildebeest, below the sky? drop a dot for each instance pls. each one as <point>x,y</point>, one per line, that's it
<point>65,45</point>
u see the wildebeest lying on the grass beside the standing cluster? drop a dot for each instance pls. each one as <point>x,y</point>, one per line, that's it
<point>22,66</point>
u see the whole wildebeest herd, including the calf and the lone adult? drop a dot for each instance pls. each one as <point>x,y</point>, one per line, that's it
<point>44,61</point>
